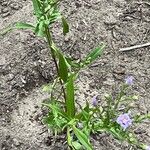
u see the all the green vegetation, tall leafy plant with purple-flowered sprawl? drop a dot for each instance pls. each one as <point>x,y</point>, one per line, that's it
<point>63,116</point>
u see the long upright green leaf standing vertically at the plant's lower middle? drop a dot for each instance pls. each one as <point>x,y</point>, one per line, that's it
<point>70,102</point>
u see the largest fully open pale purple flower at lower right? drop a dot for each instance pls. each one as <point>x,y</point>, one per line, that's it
<point>124,120</point>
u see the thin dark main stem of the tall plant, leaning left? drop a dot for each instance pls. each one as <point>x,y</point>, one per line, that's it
<point>49,40</point>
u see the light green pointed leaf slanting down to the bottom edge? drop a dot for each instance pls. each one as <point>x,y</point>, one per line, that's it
<point>82,138</point>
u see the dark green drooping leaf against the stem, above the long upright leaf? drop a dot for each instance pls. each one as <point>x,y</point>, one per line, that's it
<point>63,68</point>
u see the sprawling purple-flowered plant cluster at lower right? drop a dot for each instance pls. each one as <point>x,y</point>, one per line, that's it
<point>118,123</point>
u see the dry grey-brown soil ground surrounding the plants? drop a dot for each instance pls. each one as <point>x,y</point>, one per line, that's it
<point>25,66</point>
